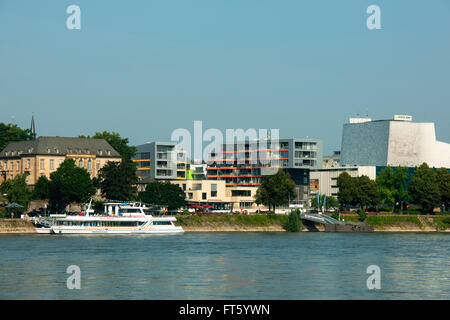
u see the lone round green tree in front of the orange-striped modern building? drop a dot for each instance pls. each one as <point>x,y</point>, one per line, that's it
<point>276,190</point>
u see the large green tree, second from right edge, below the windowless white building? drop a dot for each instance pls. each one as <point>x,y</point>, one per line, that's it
<point>423,188</point>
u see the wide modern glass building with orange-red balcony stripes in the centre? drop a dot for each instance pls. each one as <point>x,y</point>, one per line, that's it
<point>242,165</point>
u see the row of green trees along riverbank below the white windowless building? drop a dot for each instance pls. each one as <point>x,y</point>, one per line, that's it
<point>428,188</point>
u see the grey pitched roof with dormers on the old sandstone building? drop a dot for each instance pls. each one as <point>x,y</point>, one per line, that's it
<point>60,146</point>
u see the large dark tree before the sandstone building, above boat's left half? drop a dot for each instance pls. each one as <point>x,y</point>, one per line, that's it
<point>69,184</point>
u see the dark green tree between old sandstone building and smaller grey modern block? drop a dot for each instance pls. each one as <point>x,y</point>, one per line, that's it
<point>116,179</point>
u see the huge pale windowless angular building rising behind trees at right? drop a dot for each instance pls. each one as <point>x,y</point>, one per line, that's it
<point>397,142</point>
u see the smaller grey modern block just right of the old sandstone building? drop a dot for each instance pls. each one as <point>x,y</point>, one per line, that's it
<point>160,161</point>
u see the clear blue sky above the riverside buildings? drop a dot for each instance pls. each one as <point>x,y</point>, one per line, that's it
<point>145,68</point>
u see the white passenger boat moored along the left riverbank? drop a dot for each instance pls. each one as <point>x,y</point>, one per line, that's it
<point>118,218</point>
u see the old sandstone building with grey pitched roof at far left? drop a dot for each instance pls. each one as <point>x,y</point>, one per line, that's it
<point>43,156</point>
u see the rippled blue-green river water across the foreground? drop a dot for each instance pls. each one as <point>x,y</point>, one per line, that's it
<point>226,266</point>
